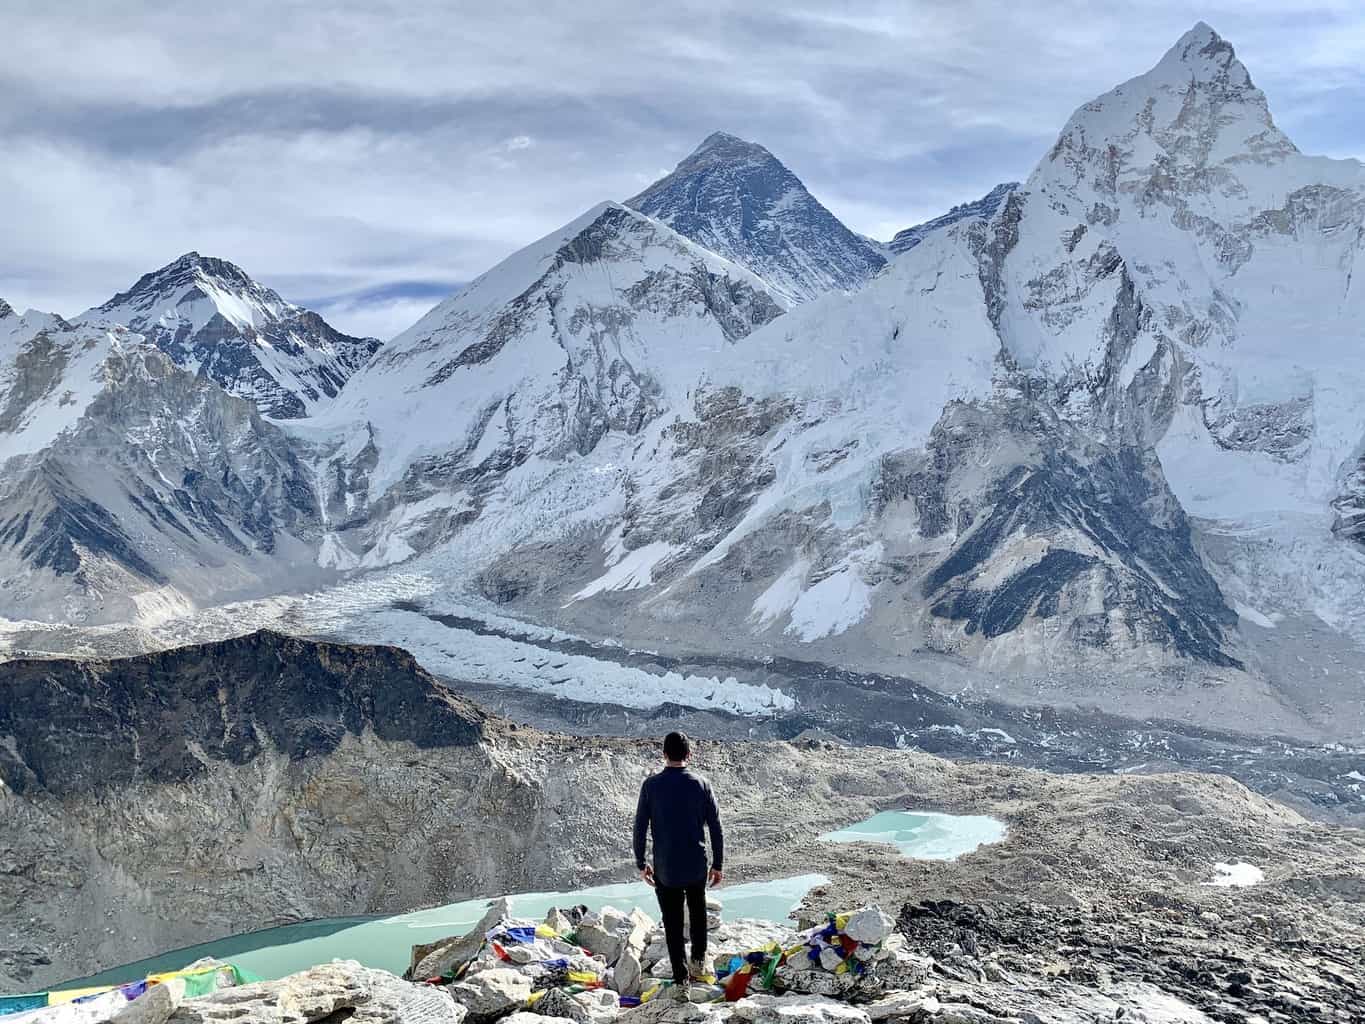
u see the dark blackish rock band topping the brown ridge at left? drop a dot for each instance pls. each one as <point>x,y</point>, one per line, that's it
<point>84,727</point>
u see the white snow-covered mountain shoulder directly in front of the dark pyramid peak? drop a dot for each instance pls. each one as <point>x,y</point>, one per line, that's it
<point>590,335</point>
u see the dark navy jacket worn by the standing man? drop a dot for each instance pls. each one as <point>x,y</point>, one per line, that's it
<point>679,809</point>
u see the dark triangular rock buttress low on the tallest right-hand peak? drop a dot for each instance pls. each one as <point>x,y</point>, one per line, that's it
<point>1102,517</point>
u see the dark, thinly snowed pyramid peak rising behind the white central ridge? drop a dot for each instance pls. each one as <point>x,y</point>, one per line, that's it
<point>738,200</point>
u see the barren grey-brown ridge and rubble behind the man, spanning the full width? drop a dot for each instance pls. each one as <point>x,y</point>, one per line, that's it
<point>169,799</point>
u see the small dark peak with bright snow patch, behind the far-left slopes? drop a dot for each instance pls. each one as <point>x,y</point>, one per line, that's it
<point>212,319</point>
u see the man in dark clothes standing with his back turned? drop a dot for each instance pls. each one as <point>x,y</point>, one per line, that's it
<point>676,806</point>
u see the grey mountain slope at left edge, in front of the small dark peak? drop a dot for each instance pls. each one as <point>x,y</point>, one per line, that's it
<point>132,489</point>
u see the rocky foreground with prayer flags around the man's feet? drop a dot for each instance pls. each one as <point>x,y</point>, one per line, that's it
<point>943,965</point>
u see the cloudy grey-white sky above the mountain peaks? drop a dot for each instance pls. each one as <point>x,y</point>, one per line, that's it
<point>365,158</point>
